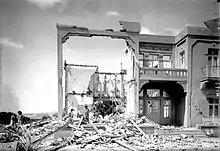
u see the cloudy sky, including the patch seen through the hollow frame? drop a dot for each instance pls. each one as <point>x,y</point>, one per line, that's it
<point>28,40</point>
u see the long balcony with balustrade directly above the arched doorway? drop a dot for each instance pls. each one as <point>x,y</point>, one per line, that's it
<point>163,74</point>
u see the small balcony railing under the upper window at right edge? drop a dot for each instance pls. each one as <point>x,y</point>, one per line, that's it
<point>211,71</point>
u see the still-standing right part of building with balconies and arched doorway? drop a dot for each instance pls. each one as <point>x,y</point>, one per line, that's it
<point>179,75</point>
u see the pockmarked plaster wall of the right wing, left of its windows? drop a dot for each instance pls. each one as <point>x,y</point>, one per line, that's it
<point>199,103</point>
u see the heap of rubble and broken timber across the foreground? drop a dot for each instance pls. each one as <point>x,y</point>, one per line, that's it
<point>112,133</point>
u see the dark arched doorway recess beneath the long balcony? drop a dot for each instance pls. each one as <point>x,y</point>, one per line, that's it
<point>164,102</point>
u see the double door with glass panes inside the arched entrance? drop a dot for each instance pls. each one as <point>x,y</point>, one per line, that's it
<point>158,110</point>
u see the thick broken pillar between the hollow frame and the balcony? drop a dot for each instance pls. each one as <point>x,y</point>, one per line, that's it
<point>132,29</point>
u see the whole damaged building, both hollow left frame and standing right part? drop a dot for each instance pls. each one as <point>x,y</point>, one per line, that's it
<point>172,79</point>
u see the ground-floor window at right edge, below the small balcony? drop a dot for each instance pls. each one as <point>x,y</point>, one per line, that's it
<point>213,106</point>
